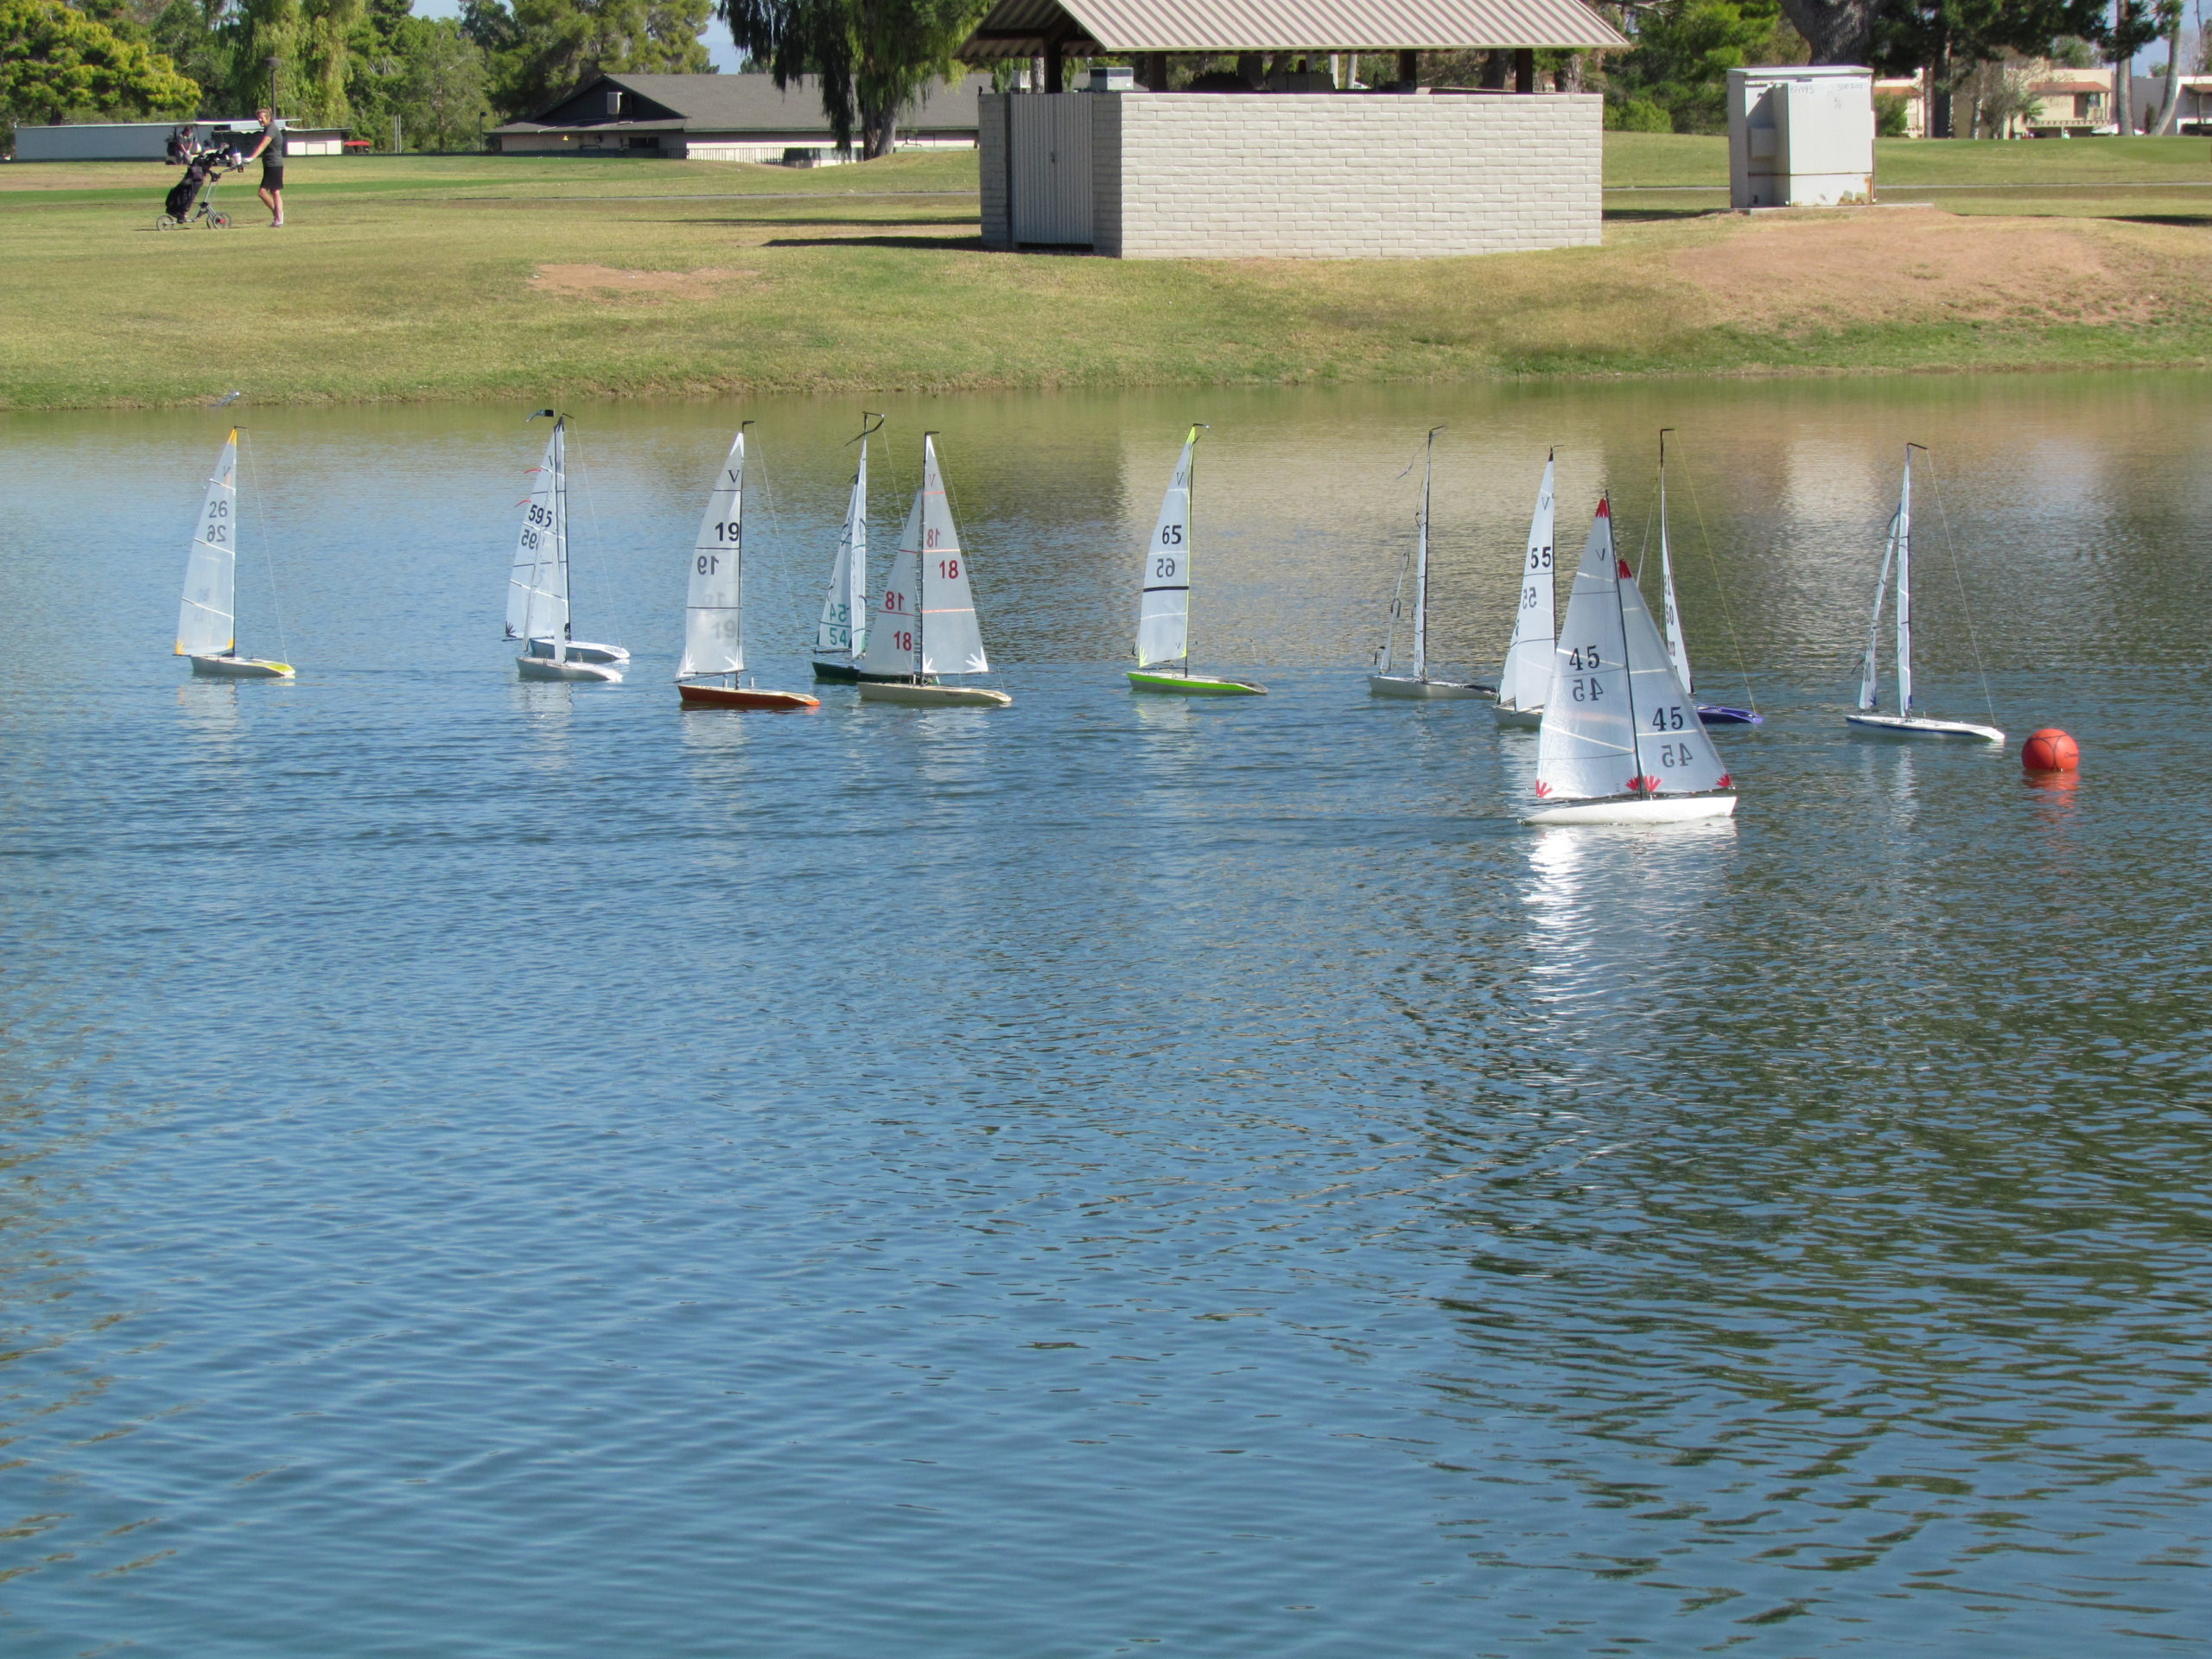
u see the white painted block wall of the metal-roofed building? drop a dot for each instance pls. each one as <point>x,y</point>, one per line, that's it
<point>1288,176</point>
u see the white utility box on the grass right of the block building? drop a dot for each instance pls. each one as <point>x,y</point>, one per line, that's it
<point>1799,136</point>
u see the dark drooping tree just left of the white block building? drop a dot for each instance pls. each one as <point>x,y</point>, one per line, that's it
<point>873,56</point>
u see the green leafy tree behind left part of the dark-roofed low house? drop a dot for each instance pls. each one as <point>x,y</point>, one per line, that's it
<point>543,50</point>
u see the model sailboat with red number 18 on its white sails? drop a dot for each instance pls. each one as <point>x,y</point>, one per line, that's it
<point>926,620</point>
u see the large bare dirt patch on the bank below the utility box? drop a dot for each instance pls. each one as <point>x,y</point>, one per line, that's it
<point>1895,264</point>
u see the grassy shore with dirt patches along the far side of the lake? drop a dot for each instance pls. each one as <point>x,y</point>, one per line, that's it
<point>457,278</point>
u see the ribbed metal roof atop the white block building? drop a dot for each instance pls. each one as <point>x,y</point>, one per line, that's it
<point>1089,28</point>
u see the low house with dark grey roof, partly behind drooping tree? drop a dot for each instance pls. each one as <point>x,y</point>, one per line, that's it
<point>722,118</point>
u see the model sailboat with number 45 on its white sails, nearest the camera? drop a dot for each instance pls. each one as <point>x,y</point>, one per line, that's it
<point>1620,742</point>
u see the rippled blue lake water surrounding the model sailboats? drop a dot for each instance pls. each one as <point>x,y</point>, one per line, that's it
<point>514,1169</point>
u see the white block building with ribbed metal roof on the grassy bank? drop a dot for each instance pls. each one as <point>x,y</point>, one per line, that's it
<point>1288,160</point>
